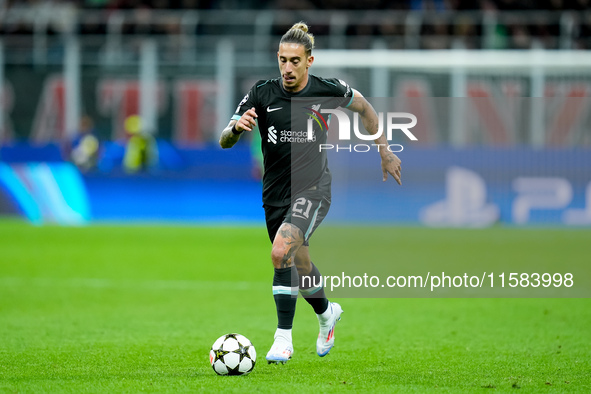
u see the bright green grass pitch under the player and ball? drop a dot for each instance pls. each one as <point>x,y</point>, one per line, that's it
<point>111,308</point>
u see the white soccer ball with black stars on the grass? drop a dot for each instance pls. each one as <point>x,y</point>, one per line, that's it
<point>232,354</point>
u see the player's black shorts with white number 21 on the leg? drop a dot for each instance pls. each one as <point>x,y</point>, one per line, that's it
<point>307,210</point>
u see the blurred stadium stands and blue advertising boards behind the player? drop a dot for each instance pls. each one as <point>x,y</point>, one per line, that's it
<point>111,110</point>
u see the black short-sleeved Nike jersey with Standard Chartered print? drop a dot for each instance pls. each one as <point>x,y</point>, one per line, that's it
<point>292,158</point>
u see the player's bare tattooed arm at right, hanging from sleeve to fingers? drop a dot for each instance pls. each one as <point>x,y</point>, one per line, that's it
<point>390,162</point>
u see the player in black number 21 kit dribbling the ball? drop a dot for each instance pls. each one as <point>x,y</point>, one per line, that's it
<point>296,180</point>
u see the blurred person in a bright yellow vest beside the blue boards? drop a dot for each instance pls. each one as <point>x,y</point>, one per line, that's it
<point>141,152</point>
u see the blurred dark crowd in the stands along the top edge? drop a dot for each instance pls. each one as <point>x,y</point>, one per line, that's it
<point>517,24</point>
